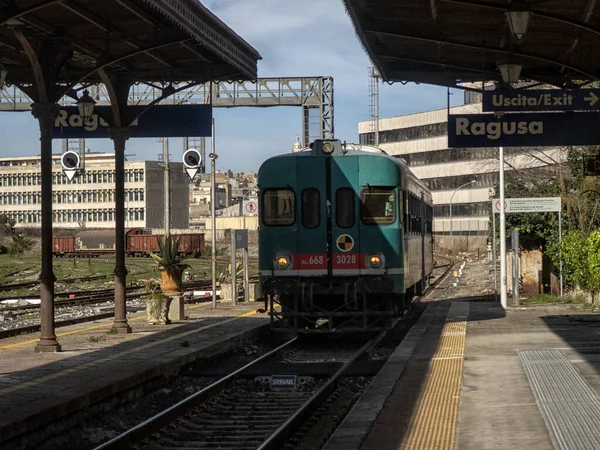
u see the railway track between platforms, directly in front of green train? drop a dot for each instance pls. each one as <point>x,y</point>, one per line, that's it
<point>243,411</point>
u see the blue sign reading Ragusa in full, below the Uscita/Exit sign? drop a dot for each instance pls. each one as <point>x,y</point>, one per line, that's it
<point>523,130</point>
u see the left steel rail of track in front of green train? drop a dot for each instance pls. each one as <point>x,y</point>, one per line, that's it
<point>155,423</point>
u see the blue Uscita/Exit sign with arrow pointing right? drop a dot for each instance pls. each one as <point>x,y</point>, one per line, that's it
<point>541,100</point>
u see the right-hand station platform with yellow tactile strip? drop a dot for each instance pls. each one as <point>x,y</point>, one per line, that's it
<point>471,376</point>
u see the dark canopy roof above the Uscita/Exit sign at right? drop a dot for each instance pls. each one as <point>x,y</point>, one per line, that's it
<point>445,42</point>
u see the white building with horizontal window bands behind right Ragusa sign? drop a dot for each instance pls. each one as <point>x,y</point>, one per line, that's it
<point>422,140</point>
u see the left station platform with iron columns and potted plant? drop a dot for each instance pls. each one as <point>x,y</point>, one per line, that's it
<point>97,369</point>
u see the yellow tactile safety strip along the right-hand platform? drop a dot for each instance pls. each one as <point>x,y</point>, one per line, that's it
<point>433,422</point>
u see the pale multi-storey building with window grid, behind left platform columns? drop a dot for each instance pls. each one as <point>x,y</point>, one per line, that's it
<point>89,199</point>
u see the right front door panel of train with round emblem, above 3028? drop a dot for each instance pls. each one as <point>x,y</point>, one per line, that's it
<point>345,229</point>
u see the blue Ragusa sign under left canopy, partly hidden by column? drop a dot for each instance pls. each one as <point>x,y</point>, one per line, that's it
<point>158,121</point>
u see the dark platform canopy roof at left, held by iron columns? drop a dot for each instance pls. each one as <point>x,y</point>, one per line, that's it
<point>143,40</point>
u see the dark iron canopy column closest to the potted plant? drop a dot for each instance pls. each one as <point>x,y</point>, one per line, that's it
<point>119,137</point>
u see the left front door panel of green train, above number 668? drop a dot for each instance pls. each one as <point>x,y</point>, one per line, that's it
<point>312,239</point>
